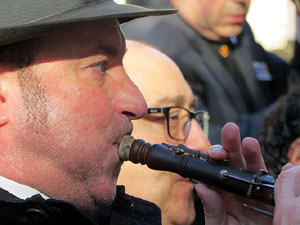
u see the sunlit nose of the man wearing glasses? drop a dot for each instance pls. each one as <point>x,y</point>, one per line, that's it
<point>197,139</point>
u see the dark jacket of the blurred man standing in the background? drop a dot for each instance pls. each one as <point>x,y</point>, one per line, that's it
<point>263,74</point>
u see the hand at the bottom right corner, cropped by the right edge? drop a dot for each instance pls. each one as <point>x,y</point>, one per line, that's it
<point>287,196</point>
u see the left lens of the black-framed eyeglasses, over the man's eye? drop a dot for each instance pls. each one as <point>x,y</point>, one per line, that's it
<point>179,123</point>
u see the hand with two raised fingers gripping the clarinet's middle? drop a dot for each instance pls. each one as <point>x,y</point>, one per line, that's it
<point>221,207</point>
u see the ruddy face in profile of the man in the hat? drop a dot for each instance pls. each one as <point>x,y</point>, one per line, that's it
<point>75,108</point>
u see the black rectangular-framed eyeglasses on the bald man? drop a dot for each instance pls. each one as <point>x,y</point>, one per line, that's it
<point>179,120</point>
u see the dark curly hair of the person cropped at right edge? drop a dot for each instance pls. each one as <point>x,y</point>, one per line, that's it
<point>280,129</point>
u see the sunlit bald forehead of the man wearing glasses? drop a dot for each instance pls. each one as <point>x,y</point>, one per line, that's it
<point>158,78</point>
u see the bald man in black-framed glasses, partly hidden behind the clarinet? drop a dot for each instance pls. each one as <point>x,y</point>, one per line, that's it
<point>170,111</point>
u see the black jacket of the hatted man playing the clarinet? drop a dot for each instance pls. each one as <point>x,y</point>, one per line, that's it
<point>125,210</point>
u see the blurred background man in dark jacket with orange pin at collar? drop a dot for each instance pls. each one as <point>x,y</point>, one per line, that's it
<point>231,75</point>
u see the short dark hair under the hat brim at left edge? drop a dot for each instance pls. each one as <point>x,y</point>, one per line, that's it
<point>20,54</point>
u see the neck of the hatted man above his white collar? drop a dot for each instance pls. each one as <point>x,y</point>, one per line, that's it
<point>40,175</point>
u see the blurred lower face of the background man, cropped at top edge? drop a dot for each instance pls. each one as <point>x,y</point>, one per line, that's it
<point>218,19</point>
